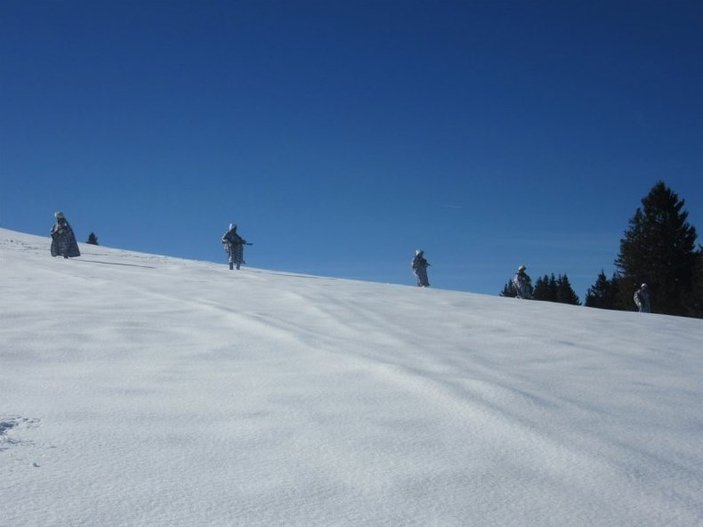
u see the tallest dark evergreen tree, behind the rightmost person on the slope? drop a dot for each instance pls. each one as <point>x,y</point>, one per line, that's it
<point>659,249</point>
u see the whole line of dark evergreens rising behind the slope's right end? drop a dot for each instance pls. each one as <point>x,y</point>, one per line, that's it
<point>658,248</point>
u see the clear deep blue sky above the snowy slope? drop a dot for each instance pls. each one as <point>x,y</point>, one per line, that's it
<point>342,135</point>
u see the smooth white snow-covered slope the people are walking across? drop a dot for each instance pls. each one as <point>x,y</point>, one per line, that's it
<point>141,390</point>
